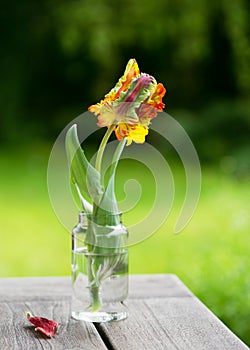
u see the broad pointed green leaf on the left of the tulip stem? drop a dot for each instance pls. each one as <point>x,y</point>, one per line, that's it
<point>83,174</point>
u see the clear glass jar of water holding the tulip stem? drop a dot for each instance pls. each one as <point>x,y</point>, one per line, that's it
<point>99,269</point>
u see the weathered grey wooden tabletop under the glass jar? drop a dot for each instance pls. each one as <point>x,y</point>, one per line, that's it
<point>164,314</point>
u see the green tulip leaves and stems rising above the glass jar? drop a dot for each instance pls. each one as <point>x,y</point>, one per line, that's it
<point>87,180</point>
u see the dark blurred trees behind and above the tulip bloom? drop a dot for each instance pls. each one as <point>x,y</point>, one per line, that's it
<point>60,56</point>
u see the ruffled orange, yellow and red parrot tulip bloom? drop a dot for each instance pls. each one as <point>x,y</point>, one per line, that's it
<point>131,105</point>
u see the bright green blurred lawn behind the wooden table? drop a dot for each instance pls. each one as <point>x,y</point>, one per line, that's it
<point>211,255</point>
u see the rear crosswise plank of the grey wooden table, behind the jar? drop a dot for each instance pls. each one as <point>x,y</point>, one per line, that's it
<point>140,286</point>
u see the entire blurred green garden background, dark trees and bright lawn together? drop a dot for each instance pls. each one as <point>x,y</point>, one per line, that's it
<point>58,57</point>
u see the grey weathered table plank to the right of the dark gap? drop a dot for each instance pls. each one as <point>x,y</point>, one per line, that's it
<point>172,323</point>
